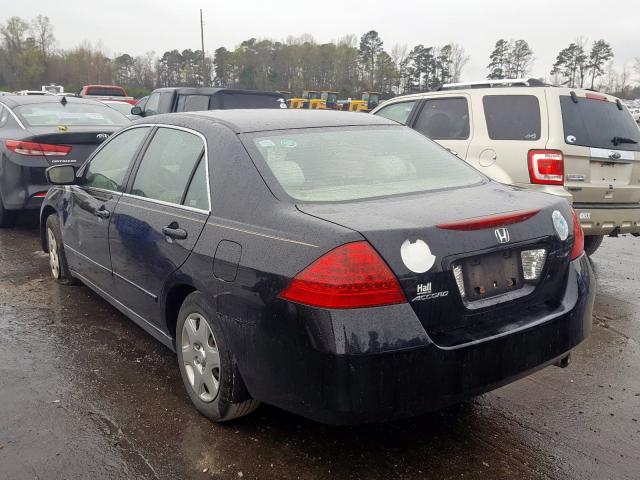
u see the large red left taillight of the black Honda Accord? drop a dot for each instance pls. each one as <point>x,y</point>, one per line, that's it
<point>350,276</point>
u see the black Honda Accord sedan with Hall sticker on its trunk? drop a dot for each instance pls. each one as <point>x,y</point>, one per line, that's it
<point>339,266</point>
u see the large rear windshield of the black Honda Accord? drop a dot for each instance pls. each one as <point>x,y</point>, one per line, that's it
<point>341,164</point>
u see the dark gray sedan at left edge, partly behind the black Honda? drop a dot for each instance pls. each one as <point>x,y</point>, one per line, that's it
<point>37,132</point>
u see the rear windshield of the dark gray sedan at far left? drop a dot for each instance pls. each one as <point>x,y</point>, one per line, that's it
<point>83,114</point>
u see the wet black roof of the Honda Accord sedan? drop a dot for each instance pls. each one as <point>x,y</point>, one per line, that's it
<point>264,119</point>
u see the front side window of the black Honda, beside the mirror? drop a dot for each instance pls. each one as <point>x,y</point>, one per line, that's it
<point>109,166</point>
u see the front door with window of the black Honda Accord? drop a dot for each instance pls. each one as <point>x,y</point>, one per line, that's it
<point>93,201</point>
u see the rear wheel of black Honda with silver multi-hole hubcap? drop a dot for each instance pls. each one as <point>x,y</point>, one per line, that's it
<point>207,366</point>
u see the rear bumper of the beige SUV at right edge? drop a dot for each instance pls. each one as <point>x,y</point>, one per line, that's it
<point>603,219</point>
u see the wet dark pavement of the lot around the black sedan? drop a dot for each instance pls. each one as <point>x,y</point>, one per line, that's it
<point>84,393</point>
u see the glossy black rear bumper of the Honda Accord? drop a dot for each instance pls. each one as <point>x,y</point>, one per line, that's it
<point>363,368</point>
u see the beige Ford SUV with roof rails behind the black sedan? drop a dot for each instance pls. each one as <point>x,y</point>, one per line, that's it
<point>575,143</point>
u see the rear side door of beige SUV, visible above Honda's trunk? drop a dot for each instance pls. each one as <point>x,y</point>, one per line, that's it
<point>446,120</point>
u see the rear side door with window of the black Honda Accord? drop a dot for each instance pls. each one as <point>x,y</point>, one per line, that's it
<point>158,221</point>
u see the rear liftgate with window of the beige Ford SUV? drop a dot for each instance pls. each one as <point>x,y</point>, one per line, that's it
<point>601,146</point>
